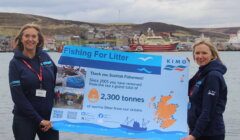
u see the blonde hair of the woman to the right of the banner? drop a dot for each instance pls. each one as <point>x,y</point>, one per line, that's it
<point>208,43</point>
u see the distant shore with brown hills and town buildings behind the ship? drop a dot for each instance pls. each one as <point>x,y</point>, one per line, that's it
<point>64,32</point>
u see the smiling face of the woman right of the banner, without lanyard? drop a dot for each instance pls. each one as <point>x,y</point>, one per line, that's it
<point>202,54</point>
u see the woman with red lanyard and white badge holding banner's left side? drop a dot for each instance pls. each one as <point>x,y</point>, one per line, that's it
<point>32,75</point>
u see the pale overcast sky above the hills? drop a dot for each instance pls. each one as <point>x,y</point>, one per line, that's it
<point>187,13</point>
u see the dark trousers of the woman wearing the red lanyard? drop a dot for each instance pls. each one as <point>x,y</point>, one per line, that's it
<point>25,129</point>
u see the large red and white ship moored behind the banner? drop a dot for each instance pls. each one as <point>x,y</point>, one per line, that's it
<point>152,43</point>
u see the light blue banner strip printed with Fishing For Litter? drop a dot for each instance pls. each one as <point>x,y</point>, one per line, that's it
<point>111,56</point>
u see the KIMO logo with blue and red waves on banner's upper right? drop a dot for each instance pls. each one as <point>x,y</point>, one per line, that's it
<point>176,64</point>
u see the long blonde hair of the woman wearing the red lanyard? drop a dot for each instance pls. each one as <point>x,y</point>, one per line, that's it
<point>18,38</point>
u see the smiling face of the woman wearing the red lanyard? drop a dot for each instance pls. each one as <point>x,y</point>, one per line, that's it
<point>30,39</point>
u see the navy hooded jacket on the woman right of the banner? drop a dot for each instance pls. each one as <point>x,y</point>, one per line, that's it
<point>207,100</point>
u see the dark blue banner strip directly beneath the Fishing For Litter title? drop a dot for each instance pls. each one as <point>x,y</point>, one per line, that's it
<point>109,65</point>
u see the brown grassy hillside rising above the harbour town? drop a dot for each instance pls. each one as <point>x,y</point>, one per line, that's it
<point>10,23</point>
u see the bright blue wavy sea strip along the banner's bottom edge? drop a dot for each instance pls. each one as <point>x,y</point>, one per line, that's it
<point>117,132</point>
